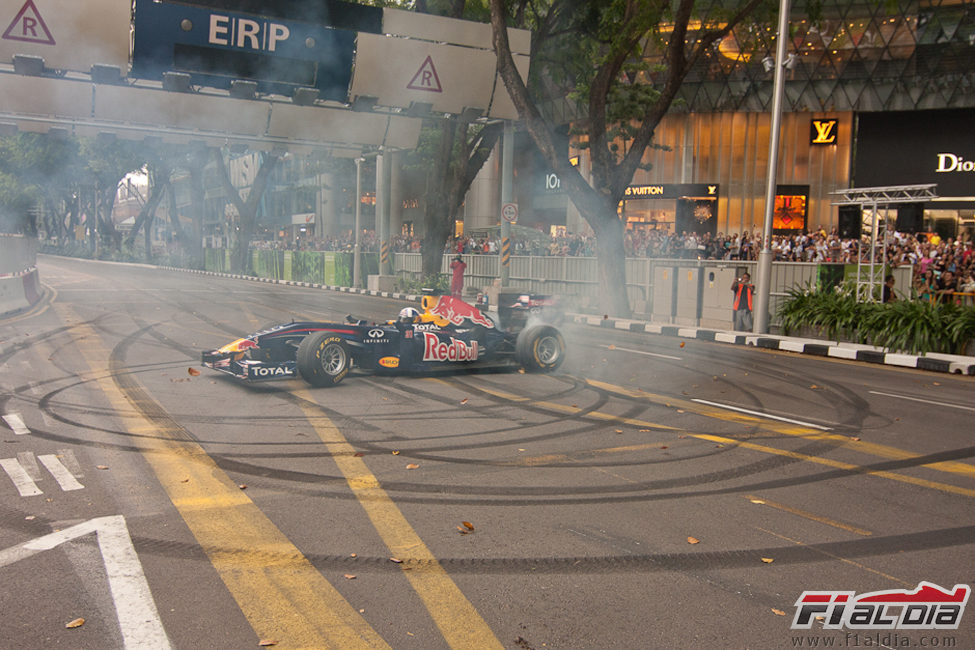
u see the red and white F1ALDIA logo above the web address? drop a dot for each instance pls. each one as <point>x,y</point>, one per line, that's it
<point>928,607</point>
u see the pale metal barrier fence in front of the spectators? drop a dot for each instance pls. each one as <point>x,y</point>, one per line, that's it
<point>681,291</point>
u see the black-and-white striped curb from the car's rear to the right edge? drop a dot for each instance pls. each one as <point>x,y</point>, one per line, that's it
<point>936,362</point>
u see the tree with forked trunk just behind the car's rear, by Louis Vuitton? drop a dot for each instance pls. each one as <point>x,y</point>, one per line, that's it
<point>594,51</point>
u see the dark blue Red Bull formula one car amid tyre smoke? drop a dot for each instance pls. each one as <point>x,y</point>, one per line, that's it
<point>447,333</point>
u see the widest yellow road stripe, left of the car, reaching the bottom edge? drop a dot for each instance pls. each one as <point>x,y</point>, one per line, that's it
<point>282,595</point>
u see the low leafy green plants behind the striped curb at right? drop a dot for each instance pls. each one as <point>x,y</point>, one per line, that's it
<point>910,326</point>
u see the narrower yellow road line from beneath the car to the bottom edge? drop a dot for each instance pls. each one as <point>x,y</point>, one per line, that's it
<point>458,620</point>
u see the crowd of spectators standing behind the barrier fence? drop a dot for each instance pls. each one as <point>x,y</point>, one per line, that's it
<point>941,266</point>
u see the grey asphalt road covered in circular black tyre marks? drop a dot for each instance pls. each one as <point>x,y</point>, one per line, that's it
<point>652,493</point>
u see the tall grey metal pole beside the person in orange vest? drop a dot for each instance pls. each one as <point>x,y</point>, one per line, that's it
<point>763,277</point>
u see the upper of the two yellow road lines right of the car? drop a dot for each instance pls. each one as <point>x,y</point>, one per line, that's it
<point>869,448</point>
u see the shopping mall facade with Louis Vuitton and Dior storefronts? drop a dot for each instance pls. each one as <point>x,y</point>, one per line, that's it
<point>876,95</point>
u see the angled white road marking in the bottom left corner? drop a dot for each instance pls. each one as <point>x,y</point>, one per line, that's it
<point>138,617</point>
